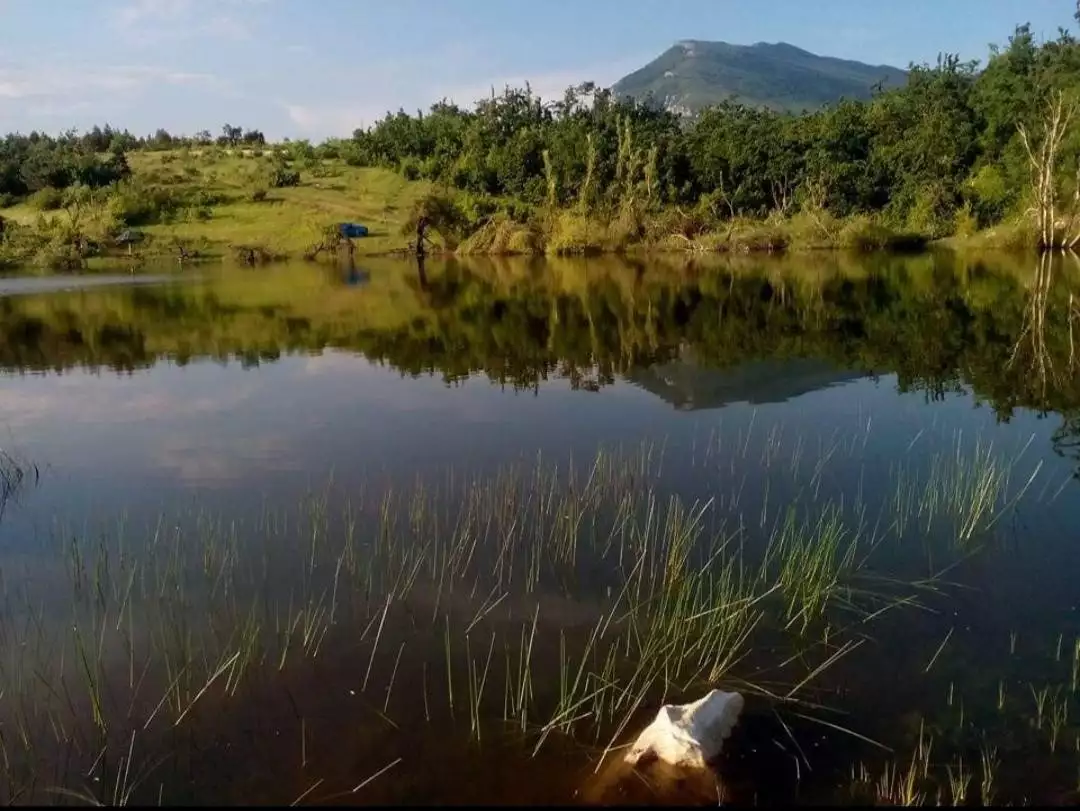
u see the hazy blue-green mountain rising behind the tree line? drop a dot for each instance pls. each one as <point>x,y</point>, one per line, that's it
<point>694,74</point>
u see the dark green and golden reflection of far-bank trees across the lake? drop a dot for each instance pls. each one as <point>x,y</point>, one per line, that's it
<point>939,327</point>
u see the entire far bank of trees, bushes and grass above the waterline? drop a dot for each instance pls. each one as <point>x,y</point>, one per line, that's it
<point>980,157</point>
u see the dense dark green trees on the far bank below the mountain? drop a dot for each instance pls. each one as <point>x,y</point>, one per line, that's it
<point>941,147</point>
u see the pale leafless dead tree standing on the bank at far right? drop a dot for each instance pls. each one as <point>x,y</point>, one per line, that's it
<point>1043,153</point>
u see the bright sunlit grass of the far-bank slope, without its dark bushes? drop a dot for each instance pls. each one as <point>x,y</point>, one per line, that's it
<point>290,221</point>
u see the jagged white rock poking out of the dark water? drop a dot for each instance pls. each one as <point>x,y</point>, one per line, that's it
<point>690,736</point>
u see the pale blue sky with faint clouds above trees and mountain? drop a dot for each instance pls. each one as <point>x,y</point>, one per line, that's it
<point>313,69</point>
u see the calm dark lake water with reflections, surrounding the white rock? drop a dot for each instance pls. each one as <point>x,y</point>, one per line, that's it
<point>206,444</point>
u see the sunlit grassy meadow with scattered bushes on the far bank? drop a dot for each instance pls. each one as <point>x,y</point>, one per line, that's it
<point>213,201</point>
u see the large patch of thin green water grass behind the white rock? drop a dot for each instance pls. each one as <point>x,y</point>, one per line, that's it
<point>677,596</point>
